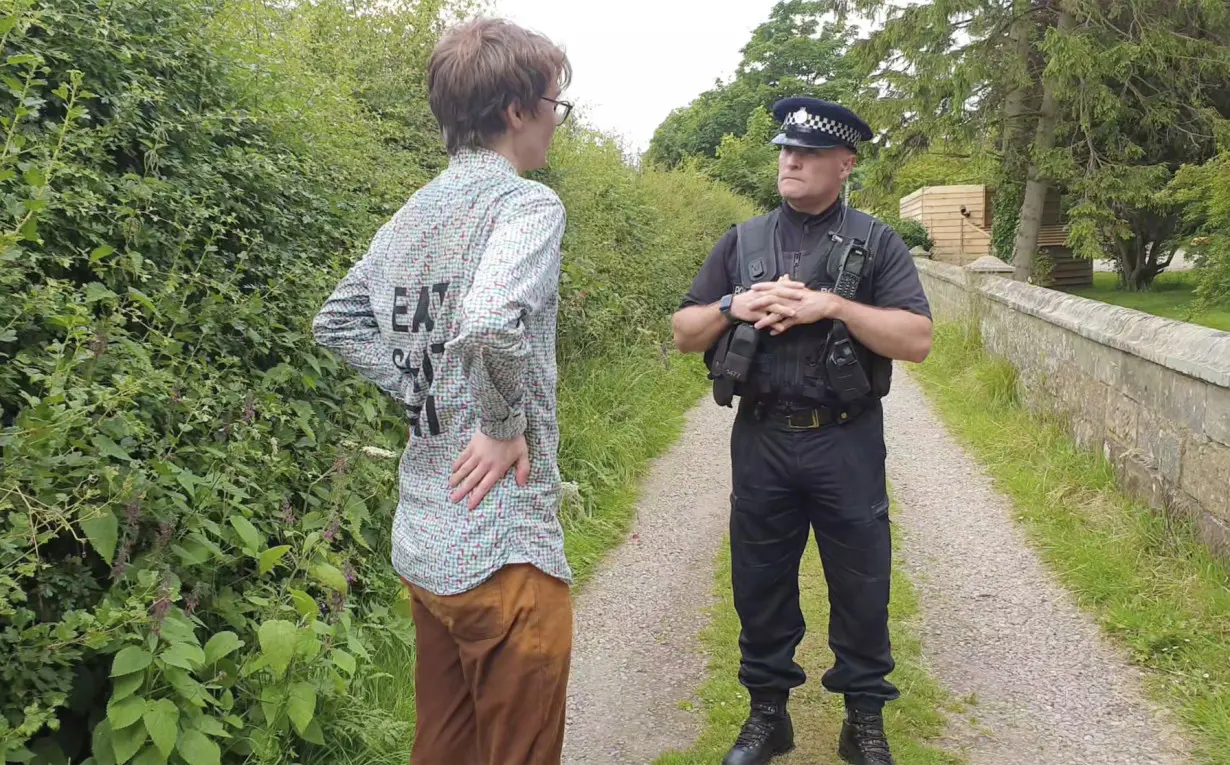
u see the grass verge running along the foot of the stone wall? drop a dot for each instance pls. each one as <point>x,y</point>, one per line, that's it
<point>1147,579</point>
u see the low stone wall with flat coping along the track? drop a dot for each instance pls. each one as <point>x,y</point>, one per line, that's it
<point>1152,394</point>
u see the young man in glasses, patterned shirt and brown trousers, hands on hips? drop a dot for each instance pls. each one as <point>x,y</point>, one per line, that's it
<point>453,313</point>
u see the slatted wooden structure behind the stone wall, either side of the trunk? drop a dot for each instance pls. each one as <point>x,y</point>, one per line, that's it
<point>960,222</point>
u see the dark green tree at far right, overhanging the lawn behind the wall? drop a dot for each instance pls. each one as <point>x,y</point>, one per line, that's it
<point>1143,90</point>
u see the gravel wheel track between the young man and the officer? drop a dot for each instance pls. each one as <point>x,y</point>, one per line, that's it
<point>638,655</point>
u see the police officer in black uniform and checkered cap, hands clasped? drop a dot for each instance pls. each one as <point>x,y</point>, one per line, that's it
<point>800,314</point>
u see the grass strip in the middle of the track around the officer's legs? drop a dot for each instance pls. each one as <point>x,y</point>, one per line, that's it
<point>915,724</point>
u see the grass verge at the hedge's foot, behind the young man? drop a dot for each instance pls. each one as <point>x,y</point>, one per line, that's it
<point>616,415</point>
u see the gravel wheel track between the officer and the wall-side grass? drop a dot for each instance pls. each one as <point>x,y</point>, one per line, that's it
<point>1047,687</point>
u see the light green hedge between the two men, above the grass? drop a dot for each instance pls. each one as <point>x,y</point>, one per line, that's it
<point>640,240</point>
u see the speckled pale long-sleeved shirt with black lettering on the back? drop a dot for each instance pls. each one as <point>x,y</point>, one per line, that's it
<point>453,313</point>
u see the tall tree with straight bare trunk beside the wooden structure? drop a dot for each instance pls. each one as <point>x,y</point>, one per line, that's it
<point>951,88</point>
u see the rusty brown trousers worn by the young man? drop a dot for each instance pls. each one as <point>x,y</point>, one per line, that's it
<point>491,671</point>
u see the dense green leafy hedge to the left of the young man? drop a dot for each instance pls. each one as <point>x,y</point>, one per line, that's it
<point>194,499</point>
